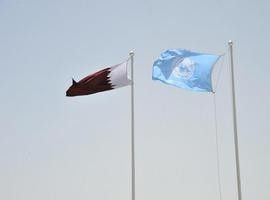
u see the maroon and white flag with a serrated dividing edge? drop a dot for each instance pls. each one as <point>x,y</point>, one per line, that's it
<point>105,79</point>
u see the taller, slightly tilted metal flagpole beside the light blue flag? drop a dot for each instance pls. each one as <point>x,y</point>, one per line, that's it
<point>230,43</point>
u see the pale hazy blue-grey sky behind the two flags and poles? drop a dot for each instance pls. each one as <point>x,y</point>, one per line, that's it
<point>58,148</point>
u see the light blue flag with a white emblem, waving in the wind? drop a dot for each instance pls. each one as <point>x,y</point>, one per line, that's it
<point>185,69</point>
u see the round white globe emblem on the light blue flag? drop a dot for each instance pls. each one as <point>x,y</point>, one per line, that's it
<point>184,68</point>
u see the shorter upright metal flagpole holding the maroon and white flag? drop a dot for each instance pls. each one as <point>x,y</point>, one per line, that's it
<point>131,54</point>
